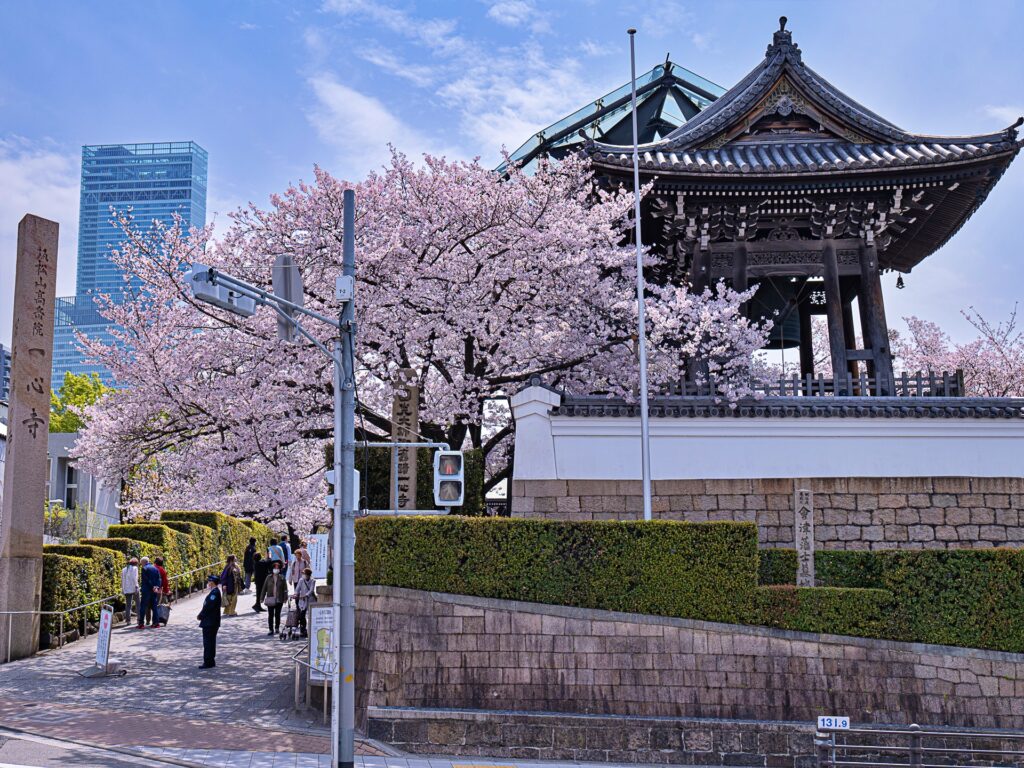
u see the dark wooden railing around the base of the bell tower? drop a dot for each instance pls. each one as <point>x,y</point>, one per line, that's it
<point>904,386</point>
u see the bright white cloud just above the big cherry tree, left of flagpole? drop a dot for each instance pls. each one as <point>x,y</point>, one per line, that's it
<point>361,129</point>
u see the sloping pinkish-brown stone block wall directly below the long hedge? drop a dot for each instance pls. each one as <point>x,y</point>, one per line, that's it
<point>420,650</point>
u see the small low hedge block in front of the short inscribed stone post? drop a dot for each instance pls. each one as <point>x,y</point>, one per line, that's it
<point>827,610</point>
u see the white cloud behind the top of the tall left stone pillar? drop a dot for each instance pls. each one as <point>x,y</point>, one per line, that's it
<point>42,179</point>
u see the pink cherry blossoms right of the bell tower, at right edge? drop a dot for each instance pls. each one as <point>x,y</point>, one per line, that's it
<point>993,363</point>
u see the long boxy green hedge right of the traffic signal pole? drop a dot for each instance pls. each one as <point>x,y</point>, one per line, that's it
<point>706,571</point>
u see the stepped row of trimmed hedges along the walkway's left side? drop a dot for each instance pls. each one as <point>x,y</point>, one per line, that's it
<point>74,575</point>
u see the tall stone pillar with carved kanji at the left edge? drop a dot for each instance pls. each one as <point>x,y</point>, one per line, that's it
<point>25,471</point>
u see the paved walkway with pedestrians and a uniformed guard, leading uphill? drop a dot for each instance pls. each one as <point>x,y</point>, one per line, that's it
<point>165,701</point>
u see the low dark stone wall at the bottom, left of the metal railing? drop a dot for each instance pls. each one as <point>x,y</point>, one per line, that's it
<point>520,736</point>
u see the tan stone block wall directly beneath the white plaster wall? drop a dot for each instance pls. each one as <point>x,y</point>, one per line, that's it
<point>849,514</point>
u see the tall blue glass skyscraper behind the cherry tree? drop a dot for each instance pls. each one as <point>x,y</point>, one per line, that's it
<point>156,181</point>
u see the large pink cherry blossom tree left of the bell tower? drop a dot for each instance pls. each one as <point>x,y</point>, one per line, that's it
<point>477,283</point>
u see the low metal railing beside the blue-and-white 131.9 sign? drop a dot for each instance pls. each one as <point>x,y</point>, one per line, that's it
<point>916,748</point>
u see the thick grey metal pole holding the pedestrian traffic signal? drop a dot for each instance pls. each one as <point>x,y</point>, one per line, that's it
<point>346,694</point>
